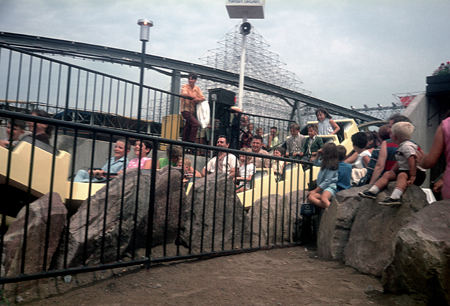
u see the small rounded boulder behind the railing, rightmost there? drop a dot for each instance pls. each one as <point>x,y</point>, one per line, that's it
<point>271,220</point>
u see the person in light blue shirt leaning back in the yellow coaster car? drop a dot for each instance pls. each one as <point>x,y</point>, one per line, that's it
<point>114,165</point>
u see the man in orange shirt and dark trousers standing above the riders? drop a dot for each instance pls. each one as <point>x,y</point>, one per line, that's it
<point>188,107</point>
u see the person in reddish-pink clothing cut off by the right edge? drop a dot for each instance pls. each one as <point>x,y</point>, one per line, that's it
<point>441,143</point>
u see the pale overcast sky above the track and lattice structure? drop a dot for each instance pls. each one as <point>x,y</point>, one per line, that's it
<point>351,52</point>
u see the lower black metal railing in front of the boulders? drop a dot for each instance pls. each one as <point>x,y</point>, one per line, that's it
<point>138,217</point>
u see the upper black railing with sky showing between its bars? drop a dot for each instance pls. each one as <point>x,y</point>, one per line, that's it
<point>77,94</point>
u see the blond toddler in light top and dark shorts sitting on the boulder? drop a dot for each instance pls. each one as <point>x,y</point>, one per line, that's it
<point>406,171</point>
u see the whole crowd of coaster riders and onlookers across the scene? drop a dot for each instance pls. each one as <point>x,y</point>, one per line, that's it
<point>376,159</point>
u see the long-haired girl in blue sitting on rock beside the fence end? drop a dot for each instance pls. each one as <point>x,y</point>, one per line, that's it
<point>327,177</point>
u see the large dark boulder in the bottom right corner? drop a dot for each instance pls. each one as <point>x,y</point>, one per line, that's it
<point>421,261</point>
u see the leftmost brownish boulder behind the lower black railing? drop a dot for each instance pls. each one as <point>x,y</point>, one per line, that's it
<point>40,246</point>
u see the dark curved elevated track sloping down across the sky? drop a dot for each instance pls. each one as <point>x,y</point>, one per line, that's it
<point>53,46</point>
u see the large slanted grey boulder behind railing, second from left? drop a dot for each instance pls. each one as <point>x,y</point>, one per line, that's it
<point>126,220</point>
